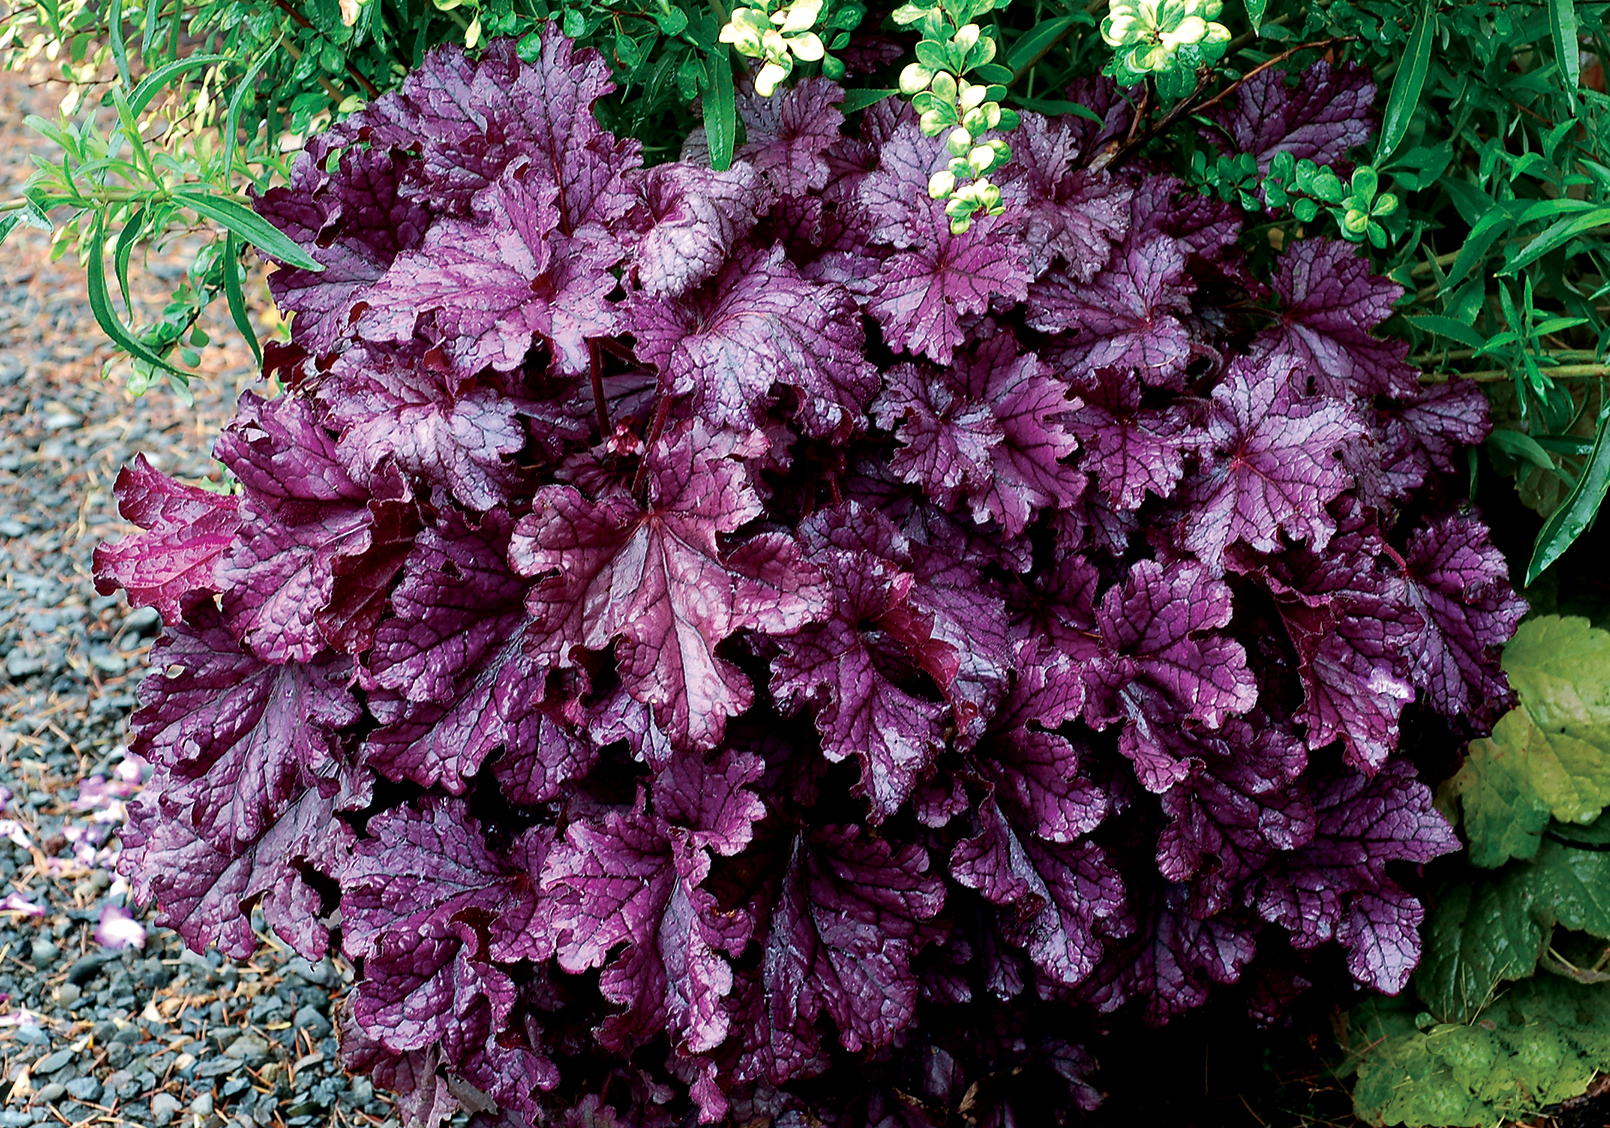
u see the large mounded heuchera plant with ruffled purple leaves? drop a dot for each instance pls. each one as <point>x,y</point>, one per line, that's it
<point>701,628</point>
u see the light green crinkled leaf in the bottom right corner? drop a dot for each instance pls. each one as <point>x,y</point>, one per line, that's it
<point>1542,1044</point>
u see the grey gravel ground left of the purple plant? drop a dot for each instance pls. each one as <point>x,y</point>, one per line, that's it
<point>91,1034</point>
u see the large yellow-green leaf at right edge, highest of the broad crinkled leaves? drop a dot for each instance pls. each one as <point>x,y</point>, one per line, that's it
<point>1551,755</point>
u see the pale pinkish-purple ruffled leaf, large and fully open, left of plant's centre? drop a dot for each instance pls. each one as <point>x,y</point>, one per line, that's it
<point>658,582</point>
